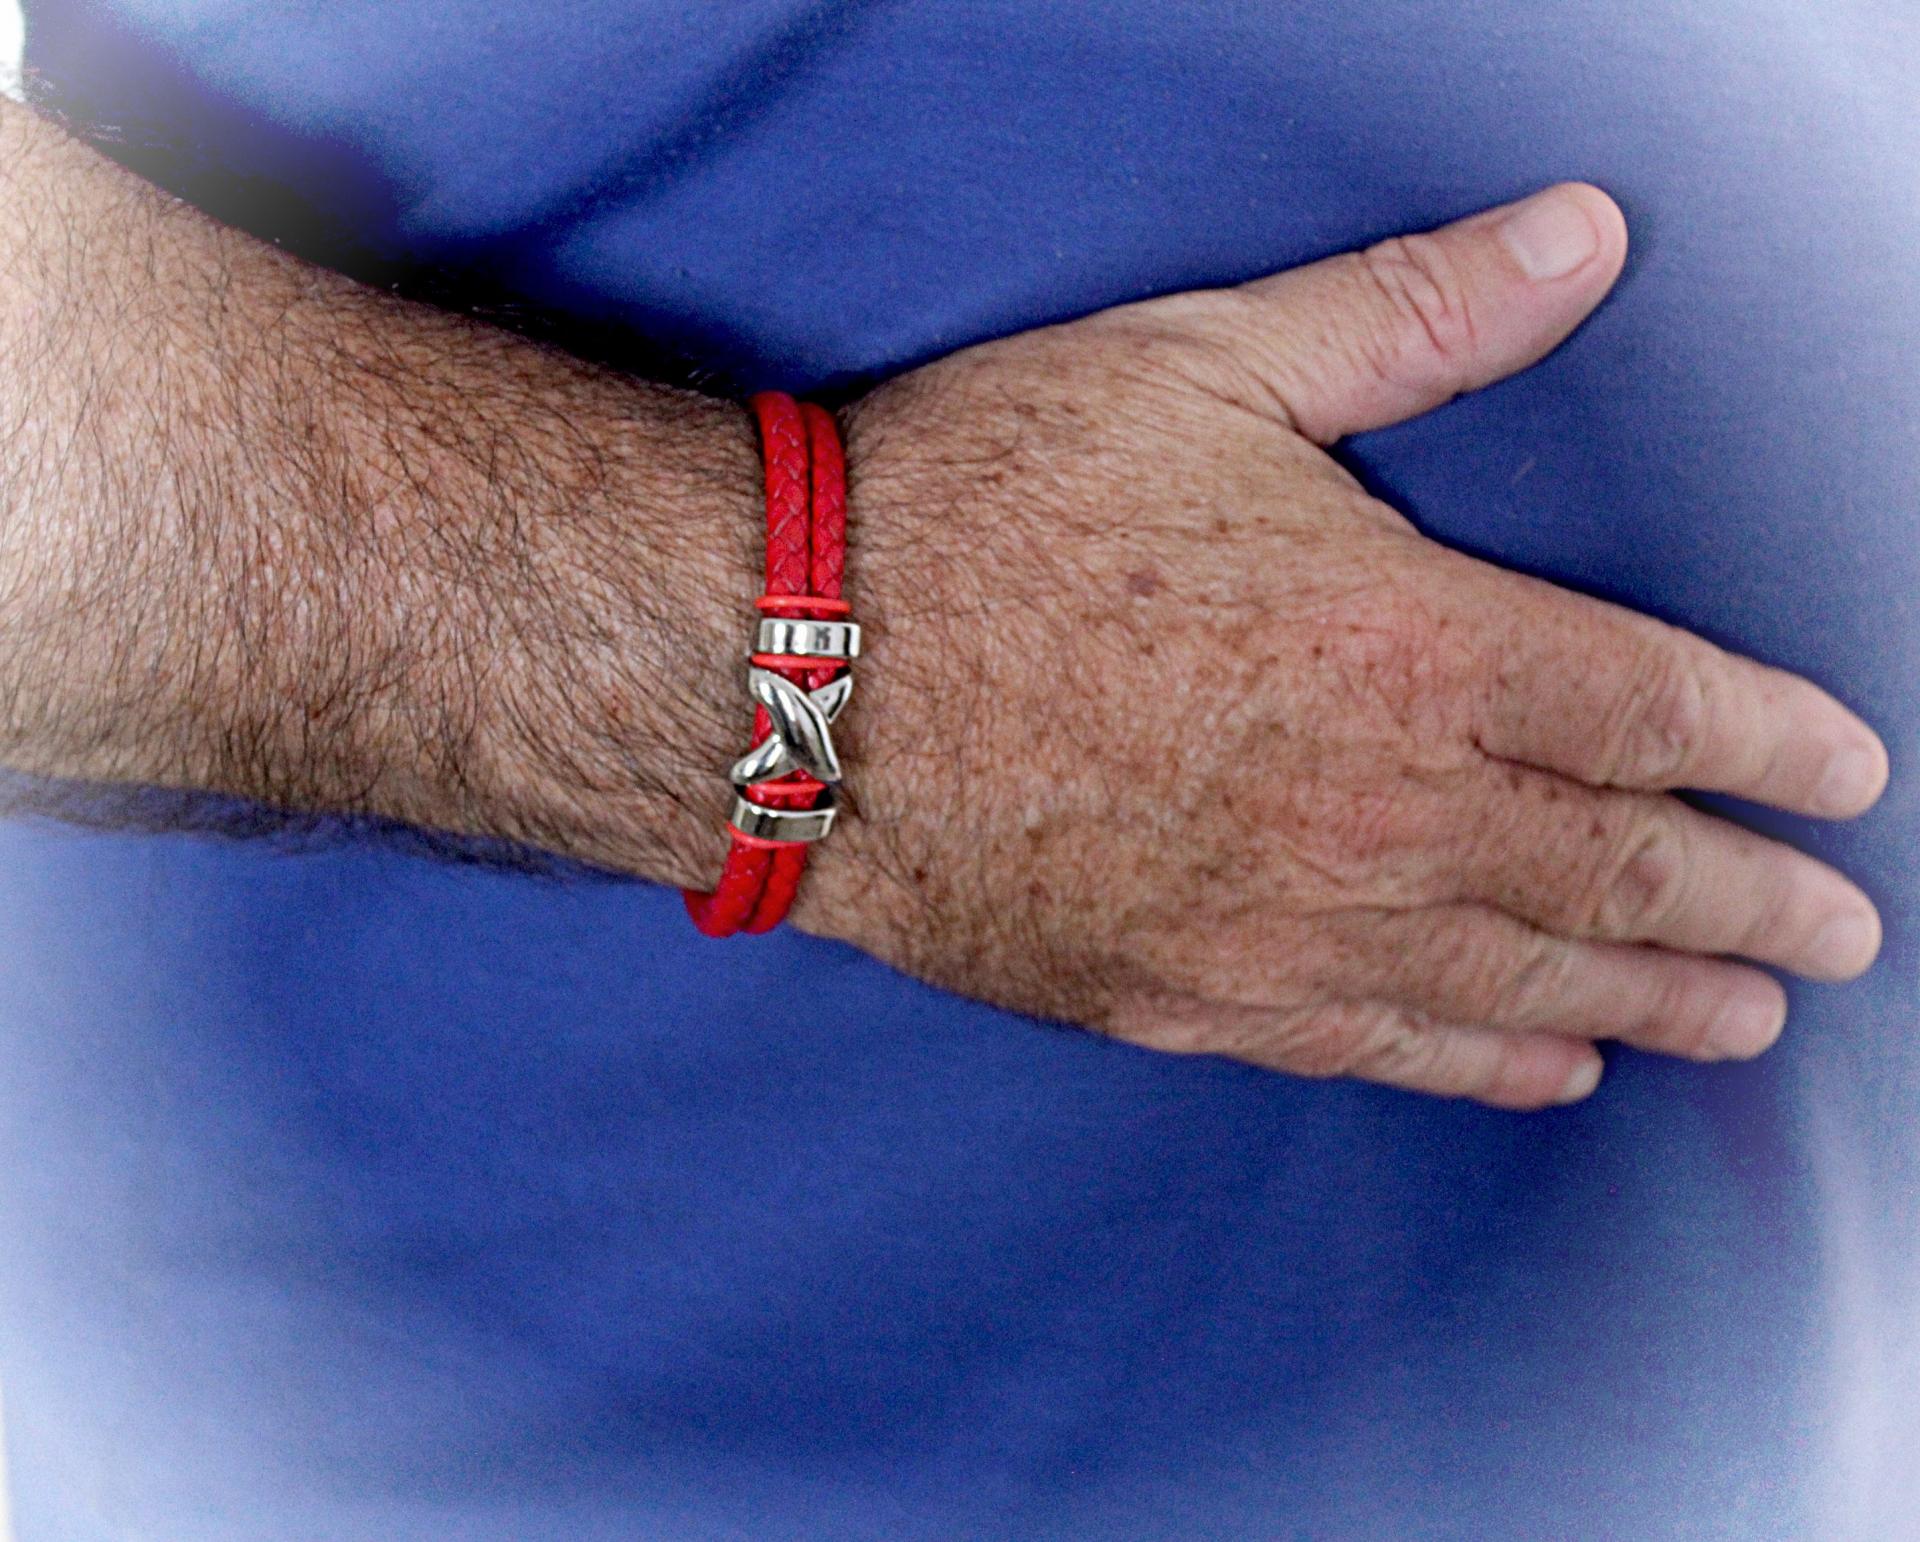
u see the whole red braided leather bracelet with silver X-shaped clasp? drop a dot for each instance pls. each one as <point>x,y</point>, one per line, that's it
<point>798,675</point>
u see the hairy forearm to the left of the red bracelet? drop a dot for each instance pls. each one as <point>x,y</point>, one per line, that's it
<point>270,533</point>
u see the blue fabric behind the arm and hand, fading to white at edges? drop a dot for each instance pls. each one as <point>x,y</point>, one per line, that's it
<point>356,1195</point>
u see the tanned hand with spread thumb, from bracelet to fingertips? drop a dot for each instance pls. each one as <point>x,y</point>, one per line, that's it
<point>1172,731</point>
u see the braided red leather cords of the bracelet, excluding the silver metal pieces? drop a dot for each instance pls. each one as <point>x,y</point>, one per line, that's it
<point>805,560</point>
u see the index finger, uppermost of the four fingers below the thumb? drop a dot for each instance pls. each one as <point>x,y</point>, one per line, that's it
<point>1620,700</point>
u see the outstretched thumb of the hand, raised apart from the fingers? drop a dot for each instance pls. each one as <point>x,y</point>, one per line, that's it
<point>1383,335</point>
